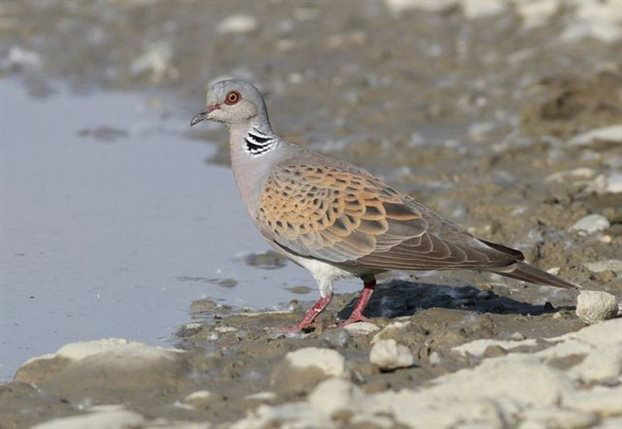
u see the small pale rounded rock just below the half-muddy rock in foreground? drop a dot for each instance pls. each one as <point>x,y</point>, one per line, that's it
<point>334,394</point>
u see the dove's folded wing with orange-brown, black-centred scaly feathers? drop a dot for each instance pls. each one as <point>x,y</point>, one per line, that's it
<point>334,212</point>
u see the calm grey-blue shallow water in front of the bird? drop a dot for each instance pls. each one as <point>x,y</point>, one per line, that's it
<point>112,224</point>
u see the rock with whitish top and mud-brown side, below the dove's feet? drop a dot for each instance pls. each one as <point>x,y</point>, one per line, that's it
<point>302,369</point>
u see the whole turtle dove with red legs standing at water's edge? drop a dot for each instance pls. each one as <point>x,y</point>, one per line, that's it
<point>338,220</point>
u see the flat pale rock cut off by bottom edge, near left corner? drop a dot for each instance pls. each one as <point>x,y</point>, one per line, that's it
<point>102,417</point>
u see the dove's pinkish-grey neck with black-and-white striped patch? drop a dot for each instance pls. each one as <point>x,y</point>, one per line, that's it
<point>251,144</point>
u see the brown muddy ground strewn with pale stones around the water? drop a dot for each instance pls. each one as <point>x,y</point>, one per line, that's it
<point>506,117</point>
